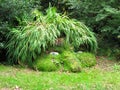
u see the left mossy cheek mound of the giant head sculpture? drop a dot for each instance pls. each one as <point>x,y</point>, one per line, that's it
<point>47,63</point>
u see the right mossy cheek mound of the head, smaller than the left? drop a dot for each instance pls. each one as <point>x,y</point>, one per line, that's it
<point>86,59</point>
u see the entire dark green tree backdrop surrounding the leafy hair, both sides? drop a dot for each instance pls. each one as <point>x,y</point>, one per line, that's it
<point>101,16</point>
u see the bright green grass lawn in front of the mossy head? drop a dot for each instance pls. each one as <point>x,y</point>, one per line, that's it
<point>104,76</point>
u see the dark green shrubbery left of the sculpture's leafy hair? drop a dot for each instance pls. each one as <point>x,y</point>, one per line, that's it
<point>12,13</point>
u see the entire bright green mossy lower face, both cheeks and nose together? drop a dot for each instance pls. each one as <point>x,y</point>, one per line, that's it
<point>65,61</point>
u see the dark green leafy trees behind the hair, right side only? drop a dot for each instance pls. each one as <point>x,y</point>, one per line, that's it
<point>103,17</point>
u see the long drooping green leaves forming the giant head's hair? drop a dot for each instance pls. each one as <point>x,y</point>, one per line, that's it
<point>27,42</point>
